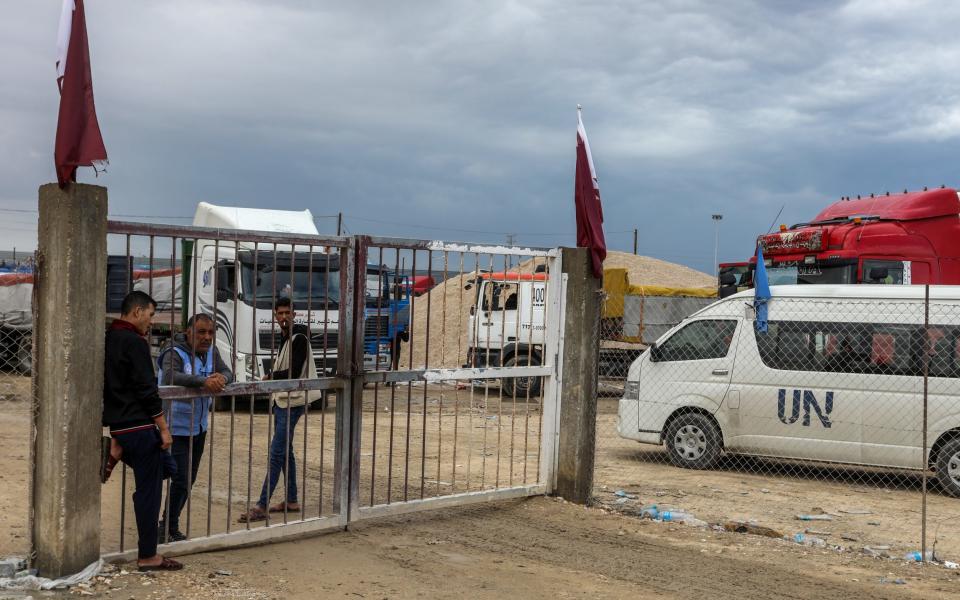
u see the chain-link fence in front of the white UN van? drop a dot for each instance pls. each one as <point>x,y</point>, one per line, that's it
<point>839,426</point>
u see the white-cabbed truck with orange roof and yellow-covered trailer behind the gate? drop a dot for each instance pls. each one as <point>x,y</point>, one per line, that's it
<point>506,326</point>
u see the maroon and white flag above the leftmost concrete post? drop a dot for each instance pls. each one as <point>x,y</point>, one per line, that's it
<point>79,143</point>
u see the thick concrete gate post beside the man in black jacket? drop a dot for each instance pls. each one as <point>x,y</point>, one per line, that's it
<point>68,377</point>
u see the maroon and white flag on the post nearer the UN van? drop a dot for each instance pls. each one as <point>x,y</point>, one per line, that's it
<point>586,197</point>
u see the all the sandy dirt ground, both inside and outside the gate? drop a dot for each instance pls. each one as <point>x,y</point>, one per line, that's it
<point>538,547</point>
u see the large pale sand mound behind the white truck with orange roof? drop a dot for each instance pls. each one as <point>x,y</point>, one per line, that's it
<point>449,350</point>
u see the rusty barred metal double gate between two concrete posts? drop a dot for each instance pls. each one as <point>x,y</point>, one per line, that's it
<point>410,408</point>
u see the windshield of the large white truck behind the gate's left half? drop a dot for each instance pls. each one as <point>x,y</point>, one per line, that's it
<point>317,289</point>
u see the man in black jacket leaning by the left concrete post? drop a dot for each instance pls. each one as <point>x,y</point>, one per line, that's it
<point>133,410</point>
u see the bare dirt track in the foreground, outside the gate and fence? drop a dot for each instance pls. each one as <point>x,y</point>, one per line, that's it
<point>536,548</point>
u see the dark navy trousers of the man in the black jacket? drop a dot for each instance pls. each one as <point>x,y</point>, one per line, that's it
<point>142,453</point>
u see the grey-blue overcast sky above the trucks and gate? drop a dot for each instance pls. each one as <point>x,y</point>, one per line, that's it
<point>456,120</point>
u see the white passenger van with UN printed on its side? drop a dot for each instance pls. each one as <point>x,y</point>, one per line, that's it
<point>838,377</point>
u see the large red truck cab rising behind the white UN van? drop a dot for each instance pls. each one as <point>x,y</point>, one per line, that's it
<point>909,238</point>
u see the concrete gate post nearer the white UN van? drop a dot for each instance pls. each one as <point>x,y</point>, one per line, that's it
<point>578,392</point>
